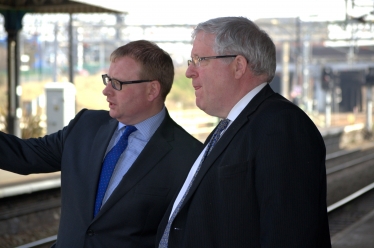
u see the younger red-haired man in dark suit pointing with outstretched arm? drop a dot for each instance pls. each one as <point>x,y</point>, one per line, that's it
<point>148,174</point>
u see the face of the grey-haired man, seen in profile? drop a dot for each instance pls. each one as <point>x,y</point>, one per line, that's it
<point>211,79</point>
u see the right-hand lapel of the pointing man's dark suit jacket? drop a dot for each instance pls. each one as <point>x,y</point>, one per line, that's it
<point>152,153</point>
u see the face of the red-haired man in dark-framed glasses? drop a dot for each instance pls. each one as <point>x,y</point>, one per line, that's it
<point>130,104</point>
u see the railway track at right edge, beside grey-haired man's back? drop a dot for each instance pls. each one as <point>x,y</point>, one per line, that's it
<point>350,188</point>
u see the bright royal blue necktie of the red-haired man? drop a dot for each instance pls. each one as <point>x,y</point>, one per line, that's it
<point>109,164</point>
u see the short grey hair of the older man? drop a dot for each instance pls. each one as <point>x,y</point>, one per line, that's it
<point>240,36</point>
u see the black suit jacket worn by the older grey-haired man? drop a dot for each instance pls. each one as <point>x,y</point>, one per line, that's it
<point>262,185</point>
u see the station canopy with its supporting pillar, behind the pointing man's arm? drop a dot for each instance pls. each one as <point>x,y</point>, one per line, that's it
<point>13,12</point>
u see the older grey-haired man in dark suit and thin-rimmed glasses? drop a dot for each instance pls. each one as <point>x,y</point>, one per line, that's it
<point>263,183</point>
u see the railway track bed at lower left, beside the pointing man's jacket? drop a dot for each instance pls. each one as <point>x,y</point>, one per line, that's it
<point>29,217</point>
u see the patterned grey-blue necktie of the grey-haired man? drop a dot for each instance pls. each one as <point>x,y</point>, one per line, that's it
<point>221,126</point>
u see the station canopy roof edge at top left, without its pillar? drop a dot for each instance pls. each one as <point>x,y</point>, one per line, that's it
<point>53,6</point>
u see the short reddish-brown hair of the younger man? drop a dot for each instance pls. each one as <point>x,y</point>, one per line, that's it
<point>155,63</point>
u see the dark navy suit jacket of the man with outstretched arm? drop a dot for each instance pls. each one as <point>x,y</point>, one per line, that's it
<point>132,213</point>
